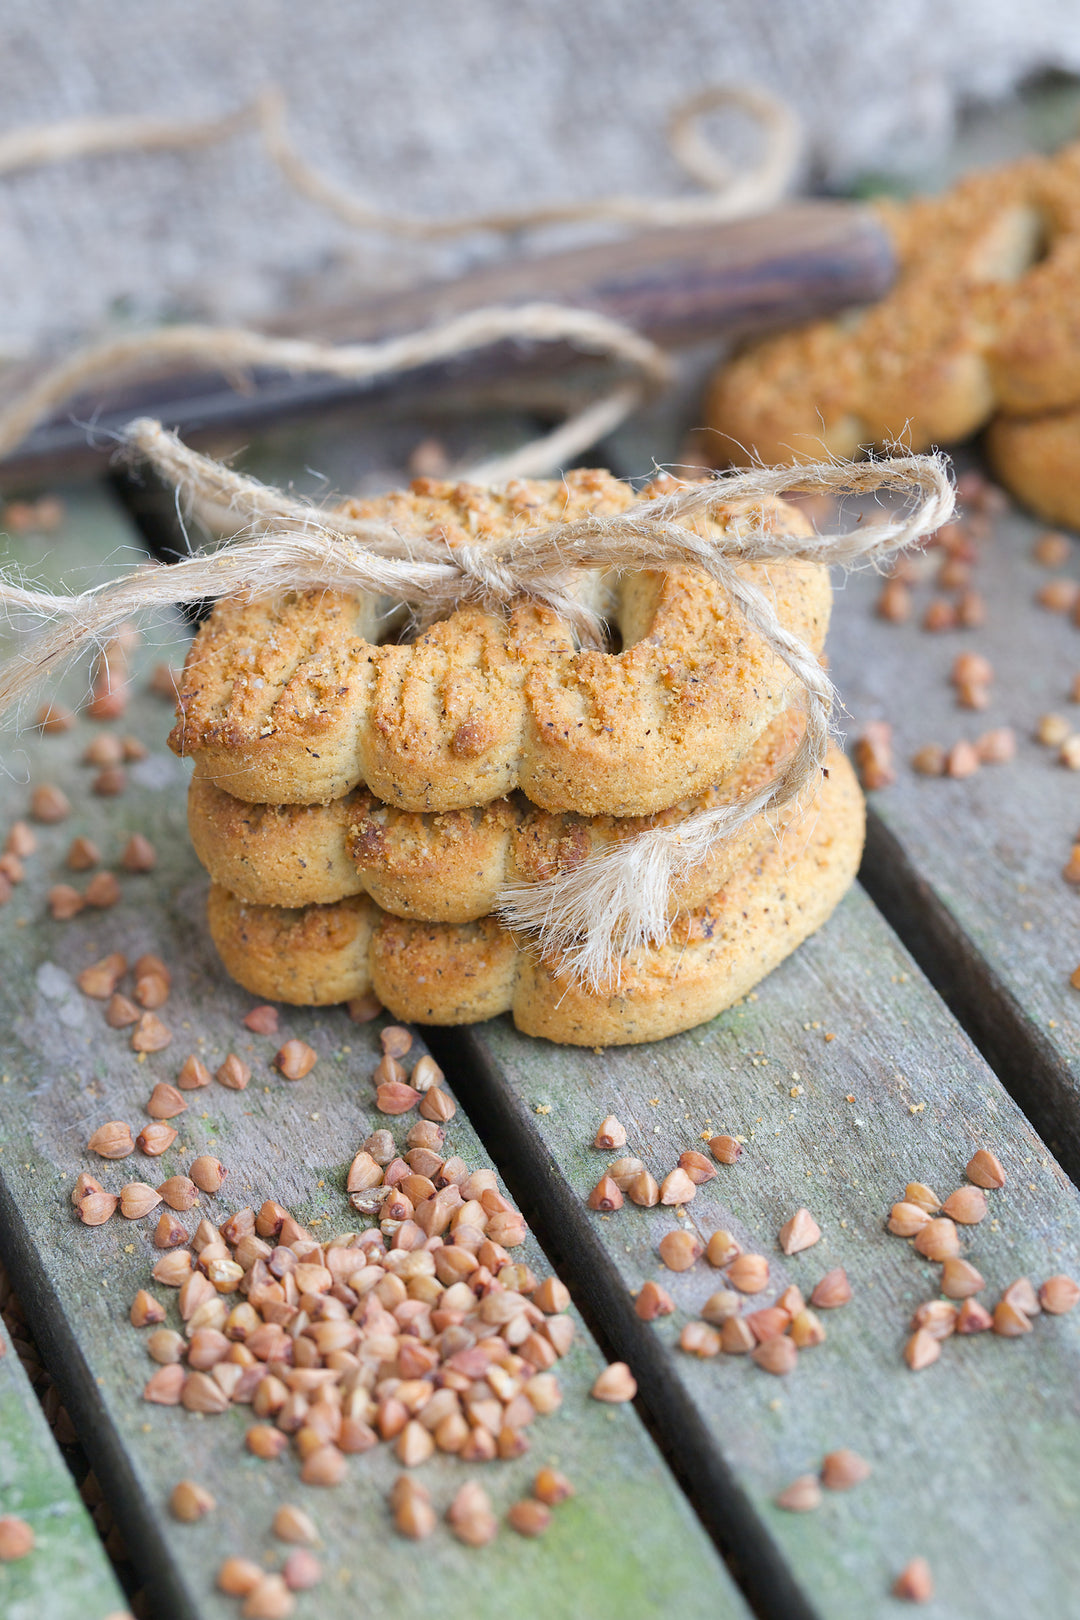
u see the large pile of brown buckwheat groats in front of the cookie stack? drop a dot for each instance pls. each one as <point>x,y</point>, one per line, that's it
<point>422,1332</point>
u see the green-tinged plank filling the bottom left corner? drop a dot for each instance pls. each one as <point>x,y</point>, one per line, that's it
<point>67,1575</point>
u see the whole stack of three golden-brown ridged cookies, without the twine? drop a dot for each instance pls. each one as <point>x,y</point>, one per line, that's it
<point>360,799</point>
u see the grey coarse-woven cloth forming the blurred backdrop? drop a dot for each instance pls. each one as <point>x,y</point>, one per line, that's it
<point>435,106</point>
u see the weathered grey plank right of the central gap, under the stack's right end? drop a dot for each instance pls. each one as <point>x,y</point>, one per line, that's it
<point>848,1078</point>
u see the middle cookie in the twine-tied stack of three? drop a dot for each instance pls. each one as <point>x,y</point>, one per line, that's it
<point>446,868</point>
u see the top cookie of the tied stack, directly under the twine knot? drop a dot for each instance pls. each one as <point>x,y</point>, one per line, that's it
<point>291,701</point>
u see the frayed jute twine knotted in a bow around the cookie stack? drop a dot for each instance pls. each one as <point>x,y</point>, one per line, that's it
<point>592,916</point>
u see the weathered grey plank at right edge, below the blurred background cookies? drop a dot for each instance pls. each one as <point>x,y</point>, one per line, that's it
<point>971,871</point>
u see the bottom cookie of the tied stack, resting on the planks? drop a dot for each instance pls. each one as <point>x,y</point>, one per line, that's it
<point>459,974</point>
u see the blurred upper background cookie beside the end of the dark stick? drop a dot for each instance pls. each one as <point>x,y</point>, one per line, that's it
<point>982,318</point>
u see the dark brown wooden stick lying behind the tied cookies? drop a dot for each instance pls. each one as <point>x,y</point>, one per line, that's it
<point>676,286</point>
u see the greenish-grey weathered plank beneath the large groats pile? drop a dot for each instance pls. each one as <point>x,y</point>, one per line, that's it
<point>627,1545</point>
